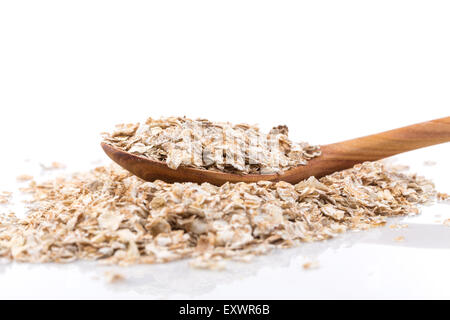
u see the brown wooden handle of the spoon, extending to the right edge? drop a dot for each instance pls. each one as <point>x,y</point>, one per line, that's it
<point>344,155</point>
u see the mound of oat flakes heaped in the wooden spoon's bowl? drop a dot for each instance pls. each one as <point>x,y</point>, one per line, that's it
<point>219,146</point>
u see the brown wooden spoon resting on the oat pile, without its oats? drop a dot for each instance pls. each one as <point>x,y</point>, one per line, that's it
<point>335,157</point>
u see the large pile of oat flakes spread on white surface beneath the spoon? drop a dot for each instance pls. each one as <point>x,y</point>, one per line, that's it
<point>109,215</point>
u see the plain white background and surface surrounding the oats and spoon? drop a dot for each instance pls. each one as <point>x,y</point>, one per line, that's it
<point>330,70</point>
